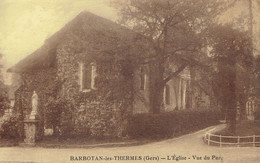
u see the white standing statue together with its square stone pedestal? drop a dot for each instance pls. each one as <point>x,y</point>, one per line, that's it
<point>31,124</point>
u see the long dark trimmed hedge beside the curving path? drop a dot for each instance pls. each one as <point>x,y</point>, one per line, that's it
<point>170,124</point>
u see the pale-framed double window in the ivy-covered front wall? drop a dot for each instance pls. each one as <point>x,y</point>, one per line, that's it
<point>87,76</point>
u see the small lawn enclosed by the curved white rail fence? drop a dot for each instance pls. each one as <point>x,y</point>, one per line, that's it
<point>243,128</point>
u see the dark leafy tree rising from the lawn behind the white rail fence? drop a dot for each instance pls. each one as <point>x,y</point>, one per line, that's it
<point>231,51</point>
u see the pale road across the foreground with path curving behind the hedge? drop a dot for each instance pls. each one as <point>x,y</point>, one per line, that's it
<point>185,146</point>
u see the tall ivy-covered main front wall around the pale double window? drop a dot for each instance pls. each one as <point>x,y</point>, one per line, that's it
<point>103,111</point>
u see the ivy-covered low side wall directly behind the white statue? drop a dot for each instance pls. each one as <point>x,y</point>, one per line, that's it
<point>42,81</point>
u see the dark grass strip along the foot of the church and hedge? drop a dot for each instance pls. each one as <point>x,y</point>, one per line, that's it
<point>86,141</point>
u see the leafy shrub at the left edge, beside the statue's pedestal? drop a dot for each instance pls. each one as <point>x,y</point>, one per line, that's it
<point>9,128</point>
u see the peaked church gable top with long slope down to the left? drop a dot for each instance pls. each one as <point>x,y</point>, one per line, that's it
<point>85,24</point>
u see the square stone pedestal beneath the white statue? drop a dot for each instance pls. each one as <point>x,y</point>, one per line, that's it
<point>31,132</point>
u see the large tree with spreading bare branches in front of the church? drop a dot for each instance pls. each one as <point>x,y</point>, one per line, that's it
<point>174,31</point>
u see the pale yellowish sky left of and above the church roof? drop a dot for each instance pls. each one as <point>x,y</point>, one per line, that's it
<point>25,24</point>
